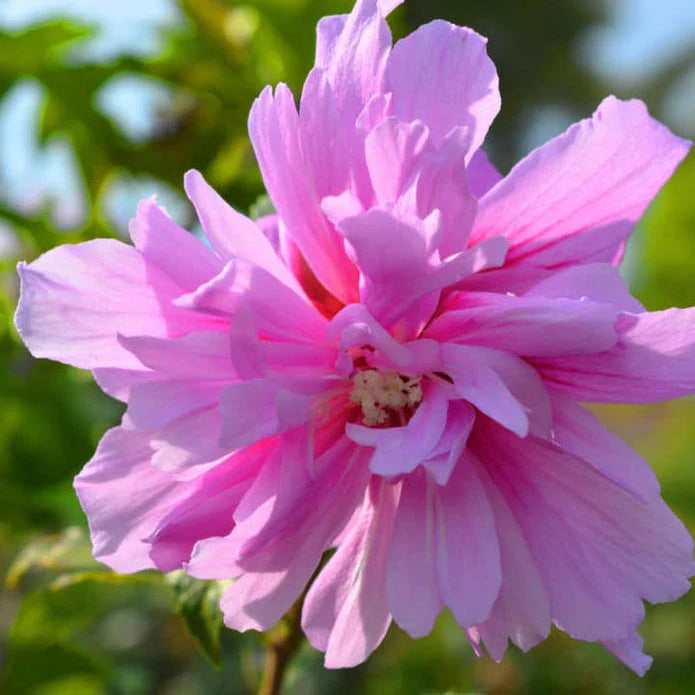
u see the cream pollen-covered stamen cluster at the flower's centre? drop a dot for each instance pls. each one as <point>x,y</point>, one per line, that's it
<point>382,395</point>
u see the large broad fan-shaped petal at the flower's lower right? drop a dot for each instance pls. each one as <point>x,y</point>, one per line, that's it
<point>599,550</point>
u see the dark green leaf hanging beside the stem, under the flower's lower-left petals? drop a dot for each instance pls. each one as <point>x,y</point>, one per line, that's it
<point>198,604</point>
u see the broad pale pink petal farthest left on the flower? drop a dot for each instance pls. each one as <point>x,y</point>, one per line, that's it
<point>76,299</point>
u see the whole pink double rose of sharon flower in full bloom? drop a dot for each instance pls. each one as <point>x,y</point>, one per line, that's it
<point>390,368</point>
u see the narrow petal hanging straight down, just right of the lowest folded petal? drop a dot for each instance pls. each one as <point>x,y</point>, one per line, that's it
<point>411,578</point>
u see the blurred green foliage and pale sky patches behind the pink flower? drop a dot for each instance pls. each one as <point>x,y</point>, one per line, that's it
<point>108,123</point>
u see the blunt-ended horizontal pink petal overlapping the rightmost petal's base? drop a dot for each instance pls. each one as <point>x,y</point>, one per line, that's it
<point>526,326</point>
